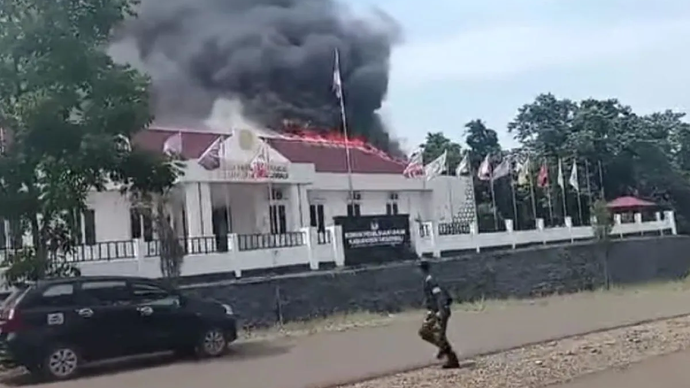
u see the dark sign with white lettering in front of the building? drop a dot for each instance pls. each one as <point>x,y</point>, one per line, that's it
<point>375,239</point>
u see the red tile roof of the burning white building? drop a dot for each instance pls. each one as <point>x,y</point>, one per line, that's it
<point>326,157</point>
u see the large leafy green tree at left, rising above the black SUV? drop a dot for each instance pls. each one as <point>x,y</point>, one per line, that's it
<point>68,112</point>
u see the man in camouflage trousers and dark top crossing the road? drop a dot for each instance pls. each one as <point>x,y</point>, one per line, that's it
<point>437,301</point>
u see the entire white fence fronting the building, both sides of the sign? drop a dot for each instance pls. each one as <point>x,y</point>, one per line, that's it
<point>308,247</point>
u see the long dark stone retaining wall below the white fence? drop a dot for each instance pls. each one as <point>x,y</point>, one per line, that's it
<point>520,273</point>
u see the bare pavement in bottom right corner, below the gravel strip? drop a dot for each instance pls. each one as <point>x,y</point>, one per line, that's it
<point>670,371</point>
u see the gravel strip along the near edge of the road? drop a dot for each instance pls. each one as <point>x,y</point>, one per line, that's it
<point>551,363</point>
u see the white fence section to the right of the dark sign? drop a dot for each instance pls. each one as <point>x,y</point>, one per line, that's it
<point>430,241</point>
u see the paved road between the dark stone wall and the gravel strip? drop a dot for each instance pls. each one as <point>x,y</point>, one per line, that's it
<point>328,358</point>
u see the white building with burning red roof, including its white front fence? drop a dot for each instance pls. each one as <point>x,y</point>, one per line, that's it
<point>230,225</point>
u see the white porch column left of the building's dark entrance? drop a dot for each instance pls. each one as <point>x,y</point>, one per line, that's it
<point>198,209</point>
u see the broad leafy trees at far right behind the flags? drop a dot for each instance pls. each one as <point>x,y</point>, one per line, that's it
<point>645,156</point>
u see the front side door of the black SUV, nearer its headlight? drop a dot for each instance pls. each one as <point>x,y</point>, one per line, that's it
<point>163,317</point>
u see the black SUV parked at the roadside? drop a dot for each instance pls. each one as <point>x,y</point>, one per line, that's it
<point>52,327</point>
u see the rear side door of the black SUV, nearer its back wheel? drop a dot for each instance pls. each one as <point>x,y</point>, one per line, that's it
<point>115,327</point>
